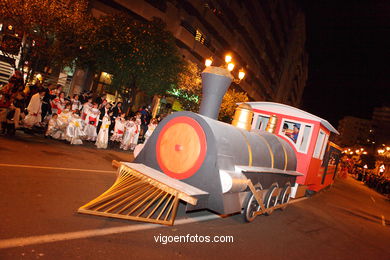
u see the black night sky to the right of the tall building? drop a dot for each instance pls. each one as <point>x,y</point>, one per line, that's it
<point>349,57</point>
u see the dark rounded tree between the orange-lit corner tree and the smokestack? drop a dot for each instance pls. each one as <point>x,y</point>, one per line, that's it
<point>141,56</point>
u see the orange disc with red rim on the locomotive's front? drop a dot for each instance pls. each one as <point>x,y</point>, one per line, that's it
<point>181,147</point>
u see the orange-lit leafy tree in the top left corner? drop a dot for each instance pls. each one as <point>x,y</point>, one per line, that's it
<point>50,32</point>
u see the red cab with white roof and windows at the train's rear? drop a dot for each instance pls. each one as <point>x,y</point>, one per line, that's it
<point>308,135</point>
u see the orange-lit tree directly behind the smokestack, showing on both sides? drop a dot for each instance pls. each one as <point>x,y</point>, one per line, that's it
<point>189,93</point>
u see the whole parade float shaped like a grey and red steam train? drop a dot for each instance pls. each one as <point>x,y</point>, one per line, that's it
<point>270,153</point>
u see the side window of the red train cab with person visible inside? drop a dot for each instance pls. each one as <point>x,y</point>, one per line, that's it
<point>297,133</point>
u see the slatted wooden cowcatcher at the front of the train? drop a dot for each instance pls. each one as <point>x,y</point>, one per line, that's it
<point>138,196</point>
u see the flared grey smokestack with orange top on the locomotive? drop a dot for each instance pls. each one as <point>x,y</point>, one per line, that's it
<point>215,82</point>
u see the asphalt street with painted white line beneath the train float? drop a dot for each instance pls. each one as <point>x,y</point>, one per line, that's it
<point>43,182</point>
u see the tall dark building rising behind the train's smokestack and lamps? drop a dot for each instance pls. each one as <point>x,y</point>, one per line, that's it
<point>266,38</point>
